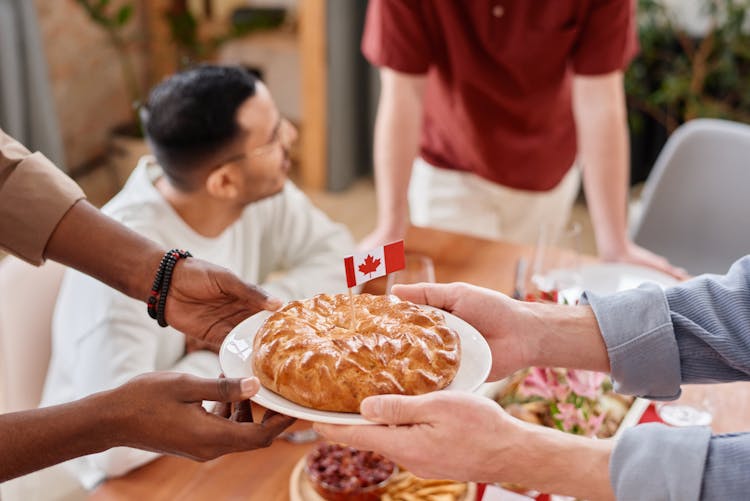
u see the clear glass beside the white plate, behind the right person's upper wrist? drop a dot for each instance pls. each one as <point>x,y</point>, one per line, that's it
<point>555,271</point>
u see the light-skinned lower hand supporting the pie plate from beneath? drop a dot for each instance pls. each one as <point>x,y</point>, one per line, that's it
<point>449,434</point>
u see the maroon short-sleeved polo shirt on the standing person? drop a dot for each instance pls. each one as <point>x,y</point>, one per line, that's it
<point>498,94</point>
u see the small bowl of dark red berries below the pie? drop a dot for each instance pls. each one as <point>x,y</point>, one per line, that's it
<point>341,473</point>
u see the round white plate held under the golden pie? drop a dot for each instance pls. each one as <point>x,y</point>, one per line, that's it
<point>237,348</point>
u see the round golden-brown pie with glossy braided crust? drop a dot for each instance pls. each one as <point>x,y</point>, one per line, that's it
<point>308,353</point>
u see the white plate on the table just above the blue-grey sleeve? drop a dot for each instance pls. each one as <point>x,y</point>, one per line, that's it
<point>607,278</point>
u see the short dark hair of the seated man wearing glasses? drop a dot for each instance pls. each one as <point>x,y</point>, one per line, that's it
<point>191,117</point>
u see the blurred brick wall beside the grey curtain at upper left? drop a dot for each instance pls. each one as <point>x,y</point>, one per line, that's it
<point>87,85</point>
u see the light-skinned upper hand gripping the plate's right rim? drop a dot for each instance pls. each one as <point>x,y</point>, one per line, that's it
<point>500,319</point>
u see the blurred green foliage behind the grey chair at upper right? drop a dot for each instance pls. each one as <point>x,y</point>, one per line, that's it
<point>678,76</point>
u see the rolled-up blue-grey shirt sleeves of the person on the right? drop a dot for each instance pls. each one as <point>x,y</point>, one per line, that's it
<point>696,332</point>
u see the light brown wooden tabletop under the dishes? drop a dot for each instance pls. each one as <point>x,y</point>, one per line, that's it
<point>264,474</point>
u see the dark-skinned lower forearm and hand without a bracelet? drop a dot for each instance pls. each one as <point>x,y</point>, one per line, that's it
<point>158,412</point>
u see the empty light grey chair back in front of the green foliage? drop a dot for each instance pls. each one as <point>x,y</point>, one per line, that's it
<point>696,201</point>
